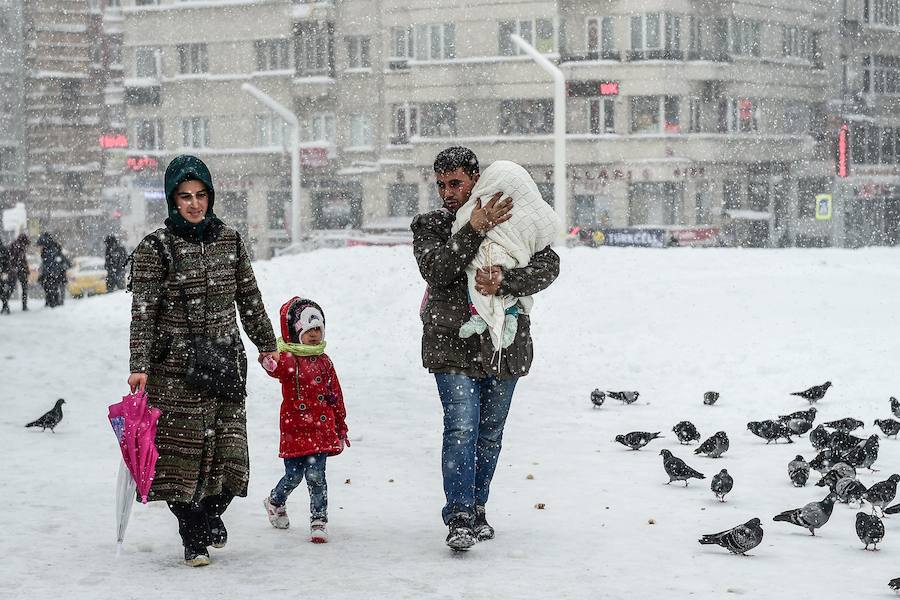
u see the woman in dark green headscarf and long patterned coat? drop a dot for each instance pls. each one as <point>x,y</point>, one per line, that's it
<point>186,351</point>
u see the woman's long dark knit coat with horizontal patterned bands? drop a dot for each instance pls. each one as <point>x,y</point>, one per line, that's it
<point>202,439</point>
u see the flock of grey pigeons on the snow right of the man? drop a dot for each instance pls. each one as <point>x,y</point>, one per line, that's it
<point>840,455</point>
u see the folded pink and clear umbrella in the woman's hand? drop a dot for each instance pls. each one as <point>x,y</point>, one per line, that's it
<point>135,427</point>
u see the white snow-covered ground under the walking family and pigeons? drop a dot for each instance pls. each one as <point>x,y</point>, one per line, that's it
<point>673,323</point>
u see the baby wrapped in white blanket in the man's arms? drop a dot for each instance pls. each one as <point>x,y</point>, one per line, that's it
<point>533,225</point>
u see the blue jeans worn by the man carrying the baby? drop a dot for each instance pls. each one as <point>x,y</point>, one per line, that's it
<point>474,415</point>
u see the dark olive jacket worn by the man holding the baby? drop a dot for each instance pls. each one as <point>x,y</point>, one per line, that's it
<point>442,260</point>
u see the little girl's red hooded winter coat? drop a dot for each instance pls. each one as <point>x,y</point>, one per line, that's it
<point>312,407</point>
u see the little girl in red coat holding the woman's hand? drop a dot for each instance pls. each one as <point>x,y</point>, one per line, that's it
<point>312,413</point>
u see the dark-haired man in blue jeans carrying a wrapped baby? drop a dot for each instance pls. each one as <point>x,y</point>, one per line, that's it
<point>474,382</point>
